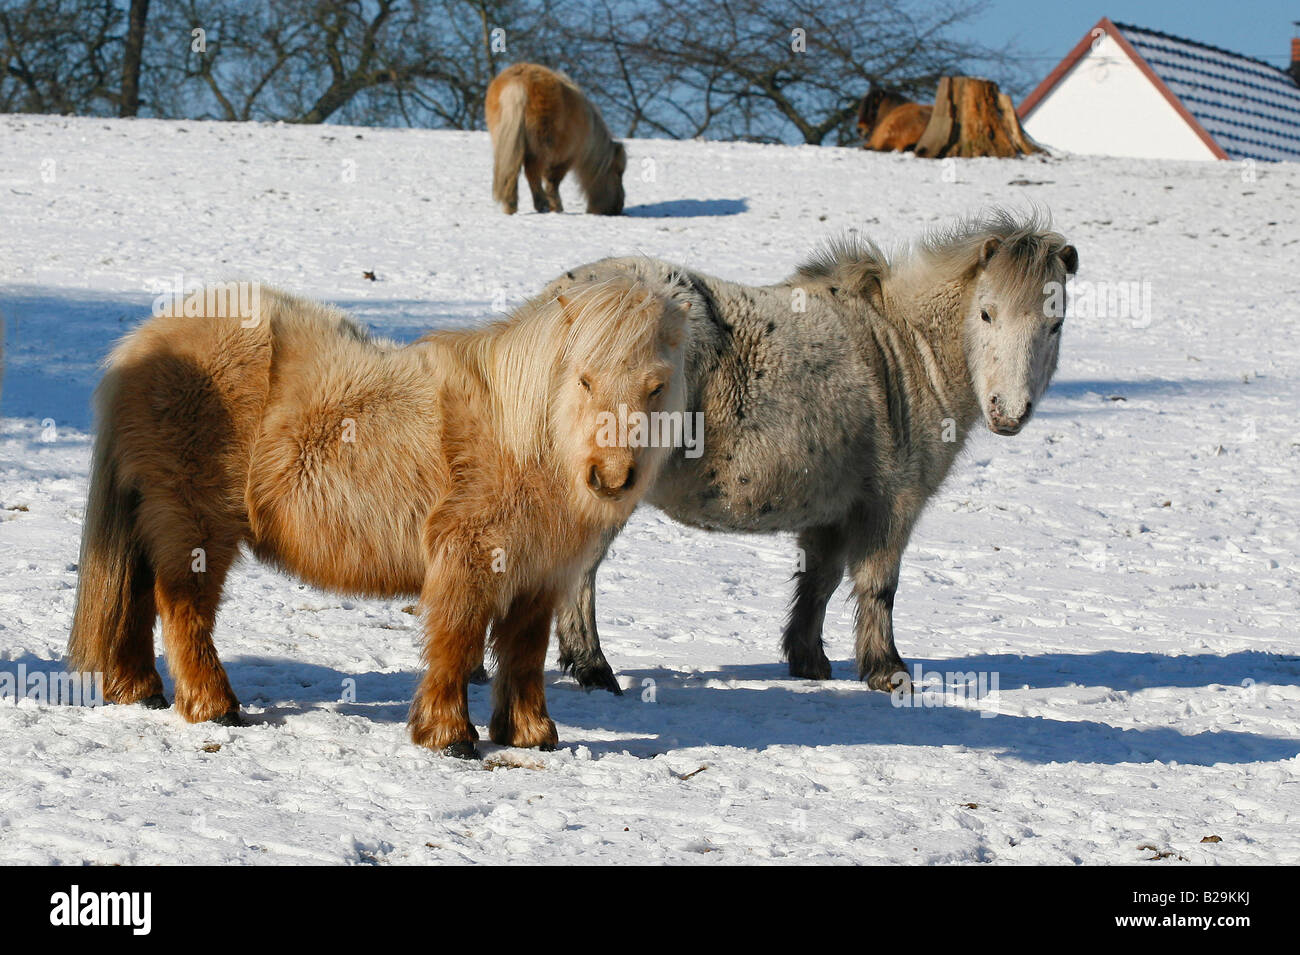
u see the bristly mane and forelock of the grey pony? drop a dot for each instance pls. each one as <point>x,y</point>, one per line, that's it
<point>1024,254</point>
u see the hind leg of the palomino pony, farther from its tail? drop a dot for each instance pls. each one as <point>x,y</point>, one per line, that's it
<point>188,591</point>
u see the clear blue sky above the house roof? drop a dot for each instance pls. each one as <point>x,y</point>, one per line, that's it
<point>1046,31</point>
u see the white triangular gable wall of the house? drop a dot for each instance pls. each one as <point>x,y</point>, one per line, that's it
<point>1107,107</point>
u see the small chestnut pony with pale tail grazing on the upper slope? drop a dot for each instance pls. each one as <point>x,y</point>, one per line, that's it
<point>540,120</point>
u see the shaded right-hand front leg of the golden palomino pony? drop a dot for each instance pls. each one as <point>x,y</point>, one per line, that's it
<point>519,693</point>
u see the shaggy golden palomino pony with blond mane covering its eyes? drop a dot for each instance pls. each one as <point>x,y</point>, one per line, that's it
<point>465,468</point>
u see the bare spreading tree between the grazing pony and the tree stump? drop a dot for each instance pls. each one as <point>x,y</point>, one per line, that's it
<point>781,70</point>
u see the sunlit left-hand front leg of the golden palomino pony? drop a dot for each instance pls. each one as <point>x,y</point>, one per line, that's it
<point>458,605</point>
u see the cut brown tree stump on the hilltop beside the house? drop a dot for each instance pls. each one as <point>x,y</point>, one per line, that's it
<point>973,119</point>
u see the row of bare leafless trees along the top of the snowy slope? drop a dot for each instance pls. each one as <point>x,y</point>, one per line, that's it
<point>770,71</point>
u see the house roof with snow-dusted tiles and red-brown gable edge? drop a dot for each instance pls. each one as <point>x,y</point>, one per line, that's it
<point>1243,108</point>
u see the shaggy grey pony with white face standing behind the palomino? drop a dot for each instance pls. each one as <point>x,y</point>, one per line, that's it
<point>835,405</point>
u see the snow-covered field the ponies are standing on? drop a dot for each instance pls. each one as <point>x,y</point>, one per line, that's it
<point>1128,567</point>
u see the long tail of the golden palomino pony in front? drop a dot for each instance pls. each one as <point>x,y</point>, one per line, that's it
<point>115,581</point>
